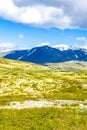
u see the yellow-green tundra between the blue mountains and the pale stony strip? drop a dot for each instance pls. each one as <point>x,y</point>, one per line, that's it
<point>21,81</point>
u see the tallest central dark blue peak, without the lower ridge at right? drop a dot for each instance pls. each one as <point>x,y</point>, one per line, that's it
<point>38,55</point>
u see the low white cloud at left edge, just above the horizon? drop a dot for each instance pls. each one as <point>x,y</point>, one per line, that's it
<point>5,47</point>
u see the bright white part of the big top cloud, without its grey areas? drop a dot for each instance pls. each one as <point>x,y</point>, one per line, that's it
<point>39,15</point>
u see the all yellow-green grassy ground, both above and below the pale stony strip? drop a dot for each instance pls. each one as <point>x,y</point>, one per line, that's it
<point>21,81</point>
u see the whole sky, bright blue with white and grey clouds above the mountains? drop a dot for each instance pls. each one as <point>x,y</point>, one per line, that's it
<point>25,24</point>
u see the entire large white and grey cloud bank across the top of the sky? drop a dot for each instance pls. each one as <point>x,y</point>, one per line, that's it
<point>46,13</point>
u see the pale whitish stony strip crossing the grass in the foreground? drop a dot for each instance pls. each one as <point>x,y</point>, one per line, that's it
<point>43,103</point>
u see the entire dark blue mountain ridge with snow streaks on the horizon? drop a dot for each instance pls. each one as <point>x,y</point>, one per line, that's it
<point>47,54</point>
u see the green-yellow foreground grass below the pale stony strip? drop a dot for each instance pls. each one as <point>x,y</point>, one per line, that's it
<point>43,119</point>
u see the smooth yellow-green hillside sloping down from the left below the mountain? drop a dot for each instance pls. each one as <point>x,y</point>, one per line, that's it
<point>19,65</point>
